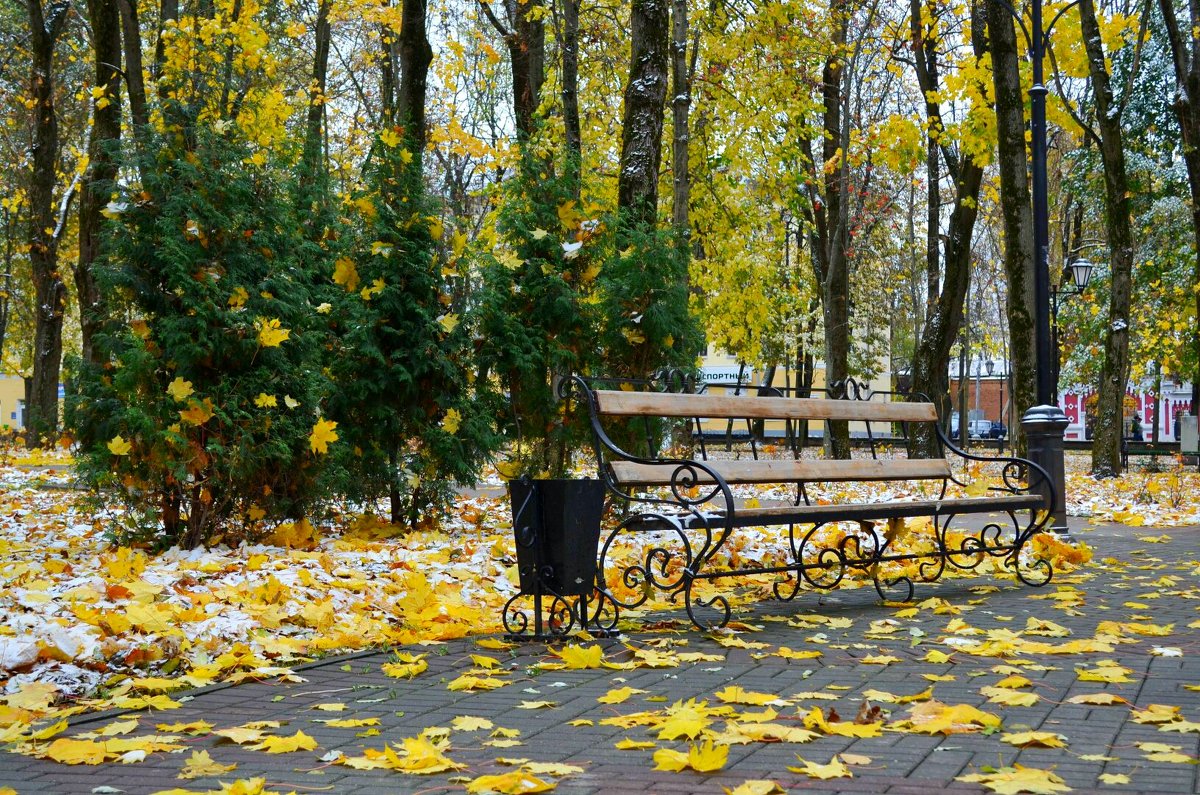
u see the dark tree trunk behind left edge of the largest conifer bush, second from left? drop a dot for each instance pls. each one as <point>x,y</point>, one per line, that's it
<point>103,142</point>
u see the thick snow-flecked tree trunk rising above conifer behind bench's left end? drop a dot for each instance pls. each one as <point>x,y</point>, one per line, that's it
<point>641,147</point>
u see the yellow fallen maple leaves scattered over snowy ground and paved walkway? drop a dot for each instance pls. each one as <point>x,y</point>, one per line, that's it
<point>93,627</point>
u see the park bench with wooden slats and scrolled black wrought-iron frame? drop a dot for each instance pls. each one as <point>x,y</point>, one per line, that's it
<point>686,509</point>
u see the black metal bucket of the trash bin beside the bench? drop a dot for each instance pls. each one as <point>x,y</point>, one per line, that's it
<point>557,529</point>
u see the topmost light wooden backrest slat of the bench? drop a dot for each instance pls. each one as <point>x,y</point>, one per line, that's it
<point>656,404</point>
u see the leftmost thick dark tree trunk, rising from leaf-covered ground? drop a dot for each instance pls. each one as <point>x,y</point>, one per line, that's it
<point>50,290</point>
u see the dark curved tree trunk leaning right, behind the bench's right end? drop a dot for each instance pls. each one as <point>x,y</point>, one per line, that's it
<point>931,368</point>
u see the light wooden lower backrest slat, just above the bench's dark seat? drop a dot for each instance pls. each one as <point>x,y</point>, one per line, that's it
<point>818,471</point>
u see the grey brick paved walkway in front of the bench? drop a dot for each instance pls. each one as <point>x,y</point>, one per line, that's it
<point>1101,740</point>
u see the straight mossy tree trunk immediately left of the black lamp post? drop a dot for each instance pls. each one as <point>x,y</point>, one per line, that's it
<point>1017,211</point>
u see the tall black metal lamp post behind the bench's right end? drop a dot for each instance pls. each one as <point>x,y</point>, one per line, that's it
<point>1045,423</point>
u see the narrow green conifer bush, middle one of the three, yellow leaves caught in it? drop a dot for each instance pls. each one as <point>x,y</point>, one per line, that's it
<point>403,368</point>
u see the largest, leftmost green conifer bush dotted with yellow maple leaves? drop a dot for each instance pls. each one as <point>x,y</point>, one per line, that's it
<point>206,414</point>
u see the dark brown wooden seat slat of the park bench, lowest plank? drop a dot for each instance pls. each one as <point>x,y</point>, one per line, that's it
<point>859,512</point>
